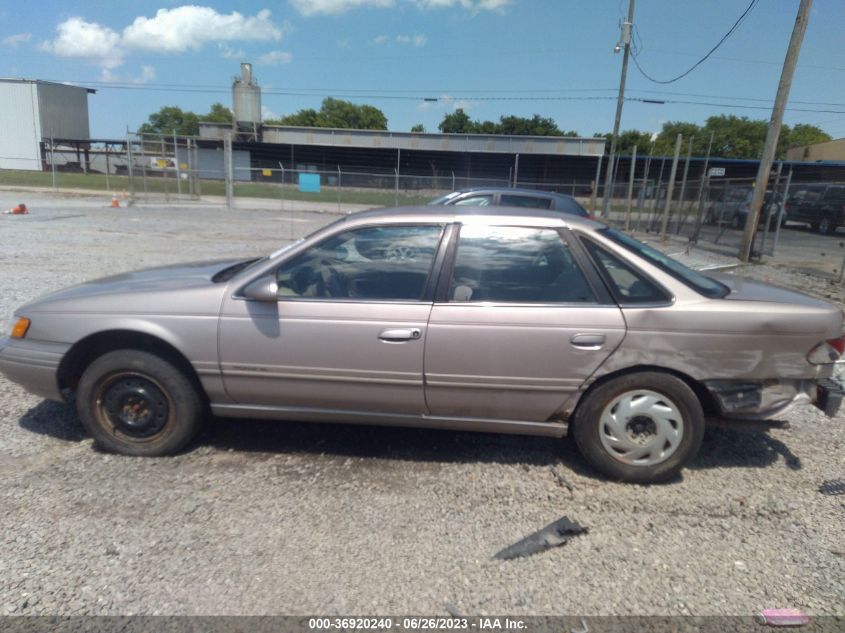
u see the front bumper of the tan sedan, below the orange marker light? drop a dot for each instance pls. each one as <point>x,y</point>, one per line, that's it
<point>33,364</point>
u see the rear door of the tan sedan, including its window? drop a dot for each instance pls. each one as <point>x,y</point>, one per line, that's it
<point>518,326</point>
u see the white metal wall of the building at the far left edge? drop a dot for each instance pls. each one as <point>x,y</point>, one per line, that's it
<point>20,131</point>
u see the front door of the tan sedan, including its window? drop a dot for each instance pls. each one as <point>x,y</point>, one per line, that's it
<point>348,329</point>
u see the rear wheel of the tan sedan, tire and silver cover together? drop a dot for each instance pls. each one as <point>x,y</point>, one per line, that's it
<point>641,428</point>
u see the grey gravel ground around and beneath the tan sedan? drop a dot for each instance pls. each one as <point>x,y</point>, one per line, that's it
<point>273,518</point>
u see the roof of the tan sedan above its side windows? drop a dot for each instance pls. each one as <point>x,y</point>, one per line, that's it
<point>452,214</point>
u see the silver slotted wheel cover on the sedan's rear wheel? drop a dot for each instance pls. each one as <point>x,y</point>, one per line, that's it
<point>641,428</point>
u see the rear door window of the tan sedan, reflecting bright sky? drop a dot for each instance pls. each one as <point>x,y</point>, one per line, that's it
<point>516,265</point>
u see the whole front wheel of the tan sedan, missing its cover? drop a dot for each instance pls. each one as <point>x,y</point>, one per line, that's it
<point>137,403</point>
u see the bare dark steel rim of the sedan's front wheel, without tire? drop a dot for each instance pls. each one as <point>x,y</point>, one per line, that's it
<point>133,405</point>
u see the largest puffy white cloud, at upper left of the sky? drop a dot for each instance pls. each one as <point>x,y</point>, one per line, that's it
<point>169,31</point>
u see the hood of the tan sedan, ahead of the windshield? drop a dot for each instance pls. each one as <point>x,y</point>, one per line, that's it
<point>140,289</point>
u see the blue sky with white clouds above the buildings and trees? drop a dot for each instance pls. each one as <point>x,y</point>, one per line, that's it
<point>491,57</point>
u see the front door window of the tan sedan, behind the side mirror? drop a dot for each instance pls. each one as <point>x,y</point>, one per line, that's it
<point>372,263</point>
